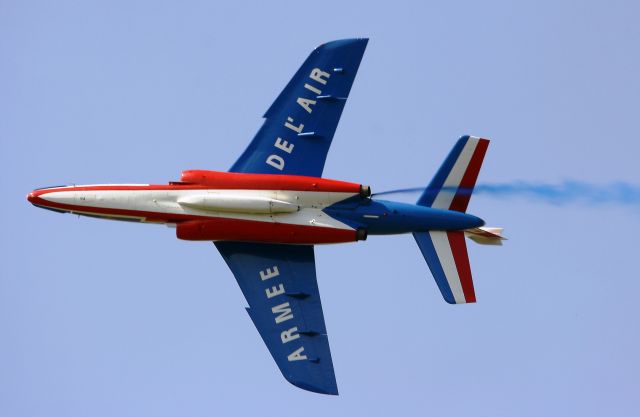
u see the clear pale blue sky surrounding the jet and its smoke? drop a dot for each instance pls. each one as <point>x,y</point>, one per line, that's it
<point>116,319</point>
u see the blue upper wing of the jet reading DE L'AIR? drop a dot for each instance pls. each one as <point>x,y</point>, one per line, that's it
<point>299,126</point>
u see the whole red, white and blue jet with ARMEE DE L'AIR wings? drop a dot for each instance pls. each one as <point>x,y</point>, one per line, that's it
<point>265,214</point>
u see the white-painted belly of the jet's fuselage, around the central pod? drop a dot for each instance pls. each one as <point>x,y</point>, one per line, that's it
<point>166,202</point>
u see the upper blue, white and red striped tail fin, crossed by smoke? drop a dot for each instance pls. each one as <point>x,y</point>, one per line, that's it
<point>453,184</point>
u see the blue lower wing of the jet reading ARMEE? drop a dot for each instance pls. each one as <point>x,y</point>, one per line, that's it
<point>279,283</point>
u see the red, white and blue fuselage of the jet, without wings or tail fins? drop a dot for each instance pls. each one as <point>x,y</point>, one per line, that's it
<point>210,205</point>
